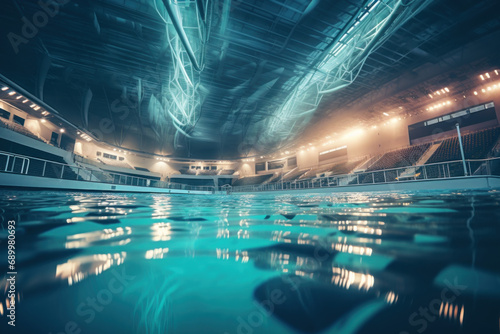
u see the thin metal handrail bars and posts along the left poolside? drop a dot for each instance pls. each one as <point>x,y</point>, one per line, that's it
<point>112,178</point>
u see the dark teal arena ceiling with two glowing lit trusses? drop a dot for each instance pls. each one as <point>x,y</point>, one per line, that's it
<point>228,78</point>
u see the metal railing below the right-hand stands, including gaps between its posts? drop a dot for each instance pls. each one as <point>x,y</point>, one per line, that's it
<point>440,170</point>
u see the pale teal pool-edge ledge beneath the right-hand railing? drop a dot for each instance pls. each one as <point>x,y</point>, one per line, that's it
<point>479,182</point>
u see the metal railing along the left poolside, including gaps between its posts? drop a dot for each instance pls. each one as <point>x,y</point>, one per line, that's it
<point>20,164</point>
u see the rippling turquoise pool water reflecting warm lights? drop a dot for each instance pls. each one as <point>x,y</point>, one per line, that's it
<point>260,263</point>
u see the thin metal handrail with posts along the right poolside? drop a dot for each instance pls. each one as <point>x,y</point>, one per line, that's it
<point>334,180</point>
